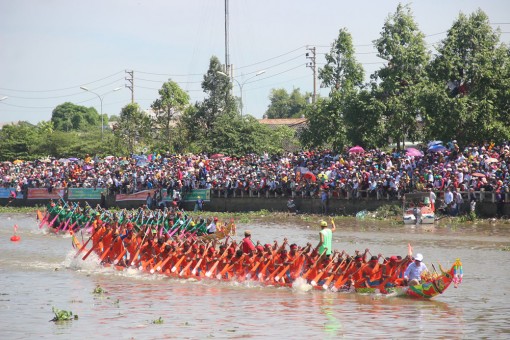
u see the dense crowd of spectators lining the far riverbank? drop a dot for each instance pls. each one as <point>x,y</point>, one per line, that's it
<point>307,173</point>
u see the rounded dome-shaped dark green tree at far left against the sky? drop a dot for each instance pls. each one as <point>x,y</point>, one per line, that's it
<point>68,117</point>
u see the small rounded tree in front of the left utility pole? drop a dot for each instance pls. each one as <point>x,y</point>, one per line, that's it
<point>133,128</point>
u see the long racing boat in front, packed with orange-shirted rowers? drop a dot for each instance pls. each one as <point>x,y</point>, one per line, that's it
<point>194,258</point>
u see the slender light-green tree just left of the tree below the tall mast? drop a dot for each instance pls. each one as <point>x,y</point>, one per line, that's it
<point>172,101</point>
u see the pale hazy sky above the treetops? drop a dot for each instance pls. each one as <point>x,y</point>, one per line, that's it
<point>48,49</point>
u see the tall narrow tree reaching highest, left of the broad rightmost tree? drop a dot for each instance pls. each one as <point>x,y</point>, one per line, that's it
<point>402,45</point>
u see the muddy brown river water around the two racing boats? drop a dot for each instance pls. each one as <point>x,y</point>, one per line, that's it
<point>40,272</point>
